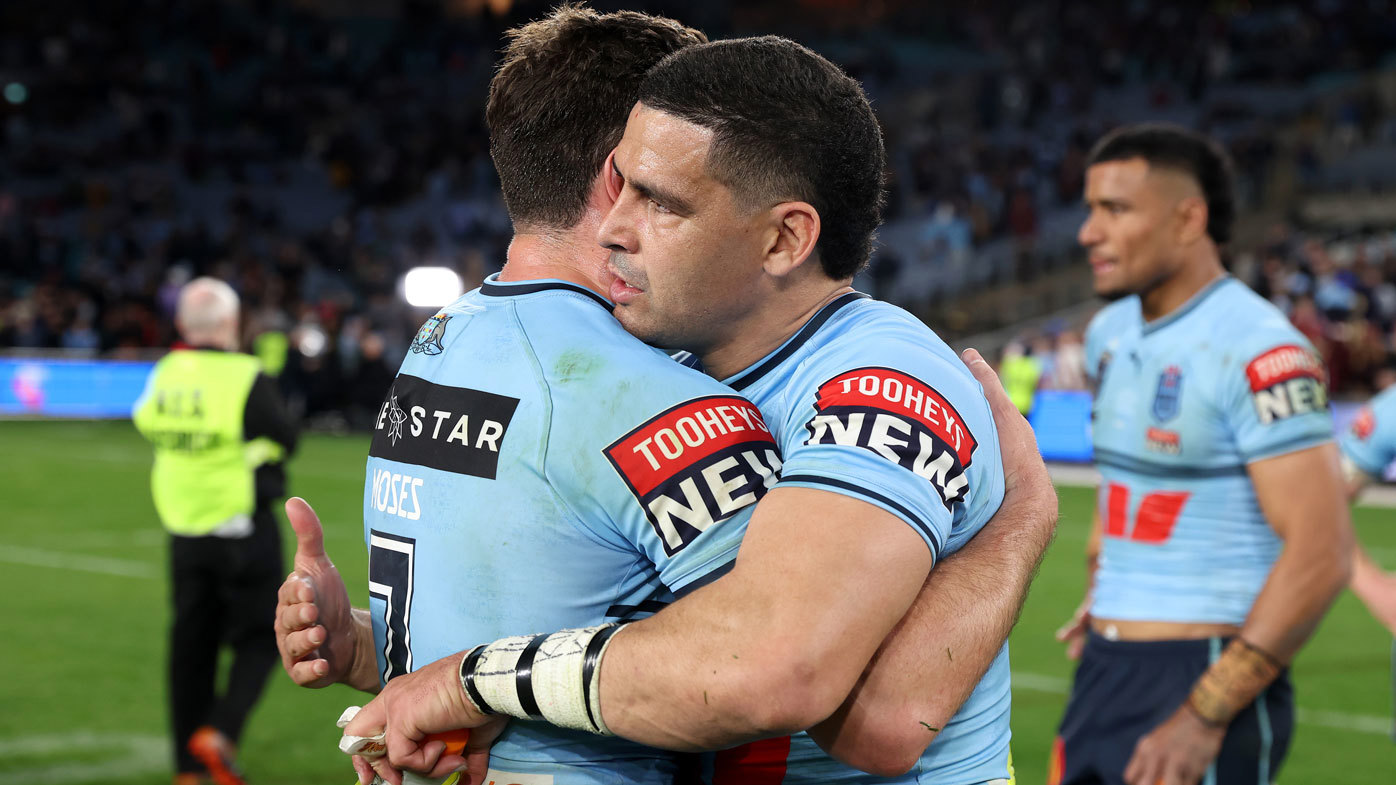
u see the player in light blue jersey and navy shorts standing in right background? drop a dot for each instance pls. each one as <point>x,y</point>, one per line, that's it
<point>1222,531</point>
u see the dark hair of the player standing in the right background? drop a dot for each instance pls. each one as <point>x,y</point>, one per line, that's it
<point>1183,150</point>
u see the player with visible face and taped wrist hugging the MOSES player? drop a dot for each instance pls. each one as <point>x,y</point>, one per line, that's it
<point>749,188</point>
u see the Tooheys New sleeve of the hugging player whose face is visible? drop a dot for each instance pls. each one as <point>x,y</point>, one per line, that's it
<point>915,439</point>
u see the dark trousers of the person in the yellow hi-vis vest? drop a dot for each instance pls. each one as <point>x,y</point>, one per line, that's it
<point>224,593</point>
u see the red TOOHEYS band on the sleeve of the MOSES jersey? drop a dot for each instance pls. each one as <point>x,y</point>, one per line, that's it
<point>683,436</point>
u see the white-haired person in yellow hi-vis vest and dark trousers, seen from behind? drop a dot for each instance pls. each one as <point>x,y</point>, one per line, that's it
<point>220,432</point>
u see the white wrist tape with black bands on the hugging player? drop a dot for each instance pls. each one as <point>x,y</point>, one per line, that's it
<point>549,677</point>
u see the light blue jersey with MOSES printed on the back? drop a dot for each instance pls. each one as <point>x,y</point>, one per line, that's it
<point>534,469</point>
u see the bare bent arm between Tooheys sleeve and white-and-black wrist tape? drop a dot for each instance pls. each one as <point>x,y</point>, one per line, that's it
<point>777,645</point>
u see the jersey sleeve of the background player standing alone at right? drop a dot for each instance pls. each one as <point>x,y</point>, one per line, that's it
<point>1277,396</point>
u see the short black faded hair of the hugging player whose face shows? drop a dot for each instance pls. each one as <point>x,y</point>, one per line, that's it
<point>788,126</point>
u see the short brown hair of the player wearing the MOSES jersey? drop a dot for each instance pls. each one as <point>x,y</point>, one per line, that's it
<point>559,104</point>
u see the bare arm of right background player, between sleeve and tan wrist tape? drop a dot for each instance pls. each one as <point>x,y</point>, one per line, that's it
<point>1316,564</point>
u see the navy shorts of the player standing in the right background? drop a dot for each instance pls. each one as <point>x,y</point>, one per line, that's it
<point>1126,689</point>
